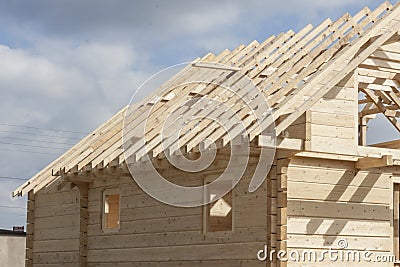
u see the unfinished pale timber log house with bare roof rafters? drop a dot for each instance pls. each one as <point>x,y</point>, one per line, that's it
<point>326,189</point>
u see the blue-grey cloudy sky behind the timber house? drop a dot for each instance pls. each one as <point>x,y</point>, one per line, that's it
<point>70,65</point>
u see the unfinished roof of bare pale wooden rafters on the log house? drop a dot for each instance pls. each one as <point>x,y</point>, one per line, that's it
<point>292,71</point>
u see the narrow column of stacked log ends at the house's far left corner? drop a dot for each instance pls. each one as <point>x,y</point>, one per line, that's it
<point>30,221</point>
